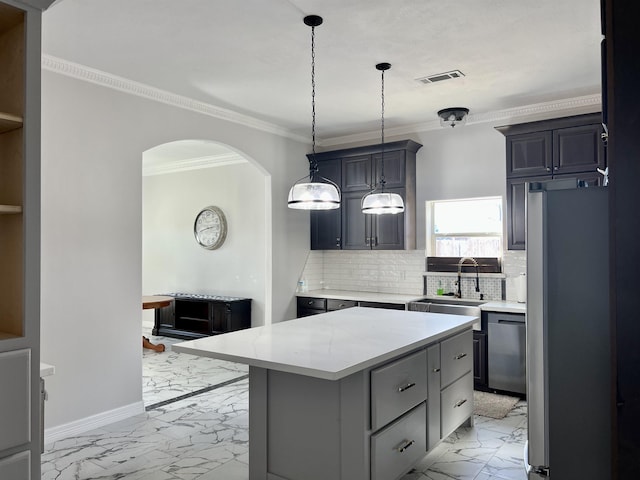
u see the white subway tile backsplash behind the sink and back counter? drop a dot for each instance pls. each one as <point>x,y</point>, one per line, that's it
<point>402,271</point>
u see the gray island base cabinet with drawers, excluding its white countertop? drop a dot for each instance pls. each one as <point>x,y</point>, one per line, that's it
<point>375,424</point>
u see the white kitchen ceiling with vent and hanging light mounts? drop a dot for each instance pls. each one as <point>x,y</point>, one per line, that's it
<point>253,56</point>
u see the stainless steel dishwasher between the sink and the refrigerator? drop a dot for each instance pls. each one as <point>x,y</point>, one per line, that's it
<point>506,356</point>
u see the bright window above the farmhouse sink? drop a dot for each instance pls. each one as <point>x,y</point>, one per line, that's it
<point>469,227</point>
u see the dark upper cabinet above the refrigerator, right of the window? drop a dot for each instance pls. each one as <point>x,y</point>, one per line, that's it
<point>568,147</point>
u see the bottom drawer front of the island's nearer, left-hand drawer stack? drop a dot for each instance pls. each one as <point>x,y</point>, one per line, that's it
<point>395,449</point>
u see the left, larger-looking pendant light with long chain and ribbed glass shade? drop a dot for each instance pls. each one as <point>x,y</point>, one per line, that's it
<point>318,193</point>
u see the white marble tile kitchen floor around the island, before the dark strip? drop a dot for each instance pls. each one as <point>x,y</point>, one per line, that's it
<point>205,437</point>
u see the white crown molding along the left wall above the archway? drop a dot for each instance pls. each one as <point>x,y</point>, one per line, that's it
<point>104,79</point>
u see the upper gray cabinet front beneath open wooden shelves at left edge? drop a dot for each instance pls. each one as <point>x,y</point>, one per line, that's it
<point>15,399</point>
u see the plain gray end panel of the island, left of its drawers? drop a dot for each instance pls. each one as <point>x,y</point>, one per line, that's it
<point>314,428</point>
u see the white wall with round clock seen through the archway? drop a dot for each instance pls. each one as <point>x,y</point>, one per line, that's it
<point>172,261</point>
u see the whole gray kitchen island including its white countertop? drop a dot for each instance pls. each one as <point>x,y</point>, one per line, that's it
<point>357,394</point>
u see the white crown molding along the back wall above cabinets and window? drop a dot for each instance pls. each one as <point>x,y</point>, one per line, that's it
<point>537,111</point>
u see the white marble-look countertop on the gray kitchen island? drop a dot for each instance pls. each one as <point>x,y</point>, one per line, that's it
<point>330,345</point>
